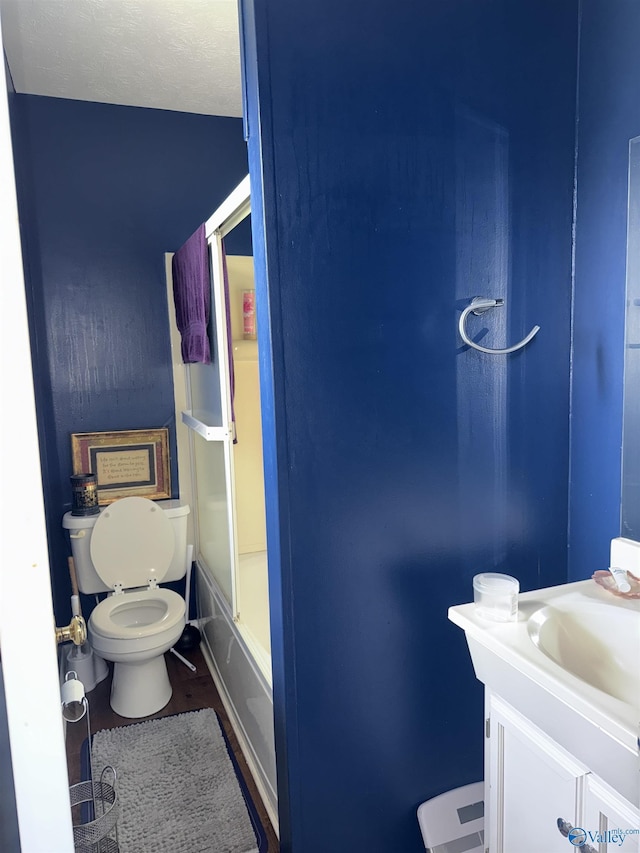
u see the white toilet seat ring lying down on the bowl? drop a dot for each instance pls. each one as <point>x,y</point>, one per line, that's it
<point>129,616</point>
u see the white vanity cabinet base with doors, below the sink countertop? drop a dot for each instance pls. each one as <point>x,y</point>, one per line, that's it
<point>531,782</point>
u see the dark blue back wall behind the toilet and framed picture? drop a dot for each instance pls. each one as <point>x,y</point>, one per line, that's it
<point>104,191</point>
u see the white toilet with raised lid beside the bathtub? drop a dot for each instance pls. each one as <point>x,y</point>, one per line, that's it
<point>127,550</point>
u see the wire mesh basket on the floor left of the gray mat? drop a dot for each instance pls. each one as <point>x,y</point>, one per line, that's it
<point>99,802</point>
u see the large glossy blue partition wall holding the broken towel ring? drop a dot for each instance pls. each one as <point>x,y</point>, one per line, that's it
<point>407,158</point>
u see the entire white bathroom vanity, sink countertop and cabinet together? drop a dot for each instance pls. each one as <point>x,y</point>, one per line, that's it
<point>562,720</point>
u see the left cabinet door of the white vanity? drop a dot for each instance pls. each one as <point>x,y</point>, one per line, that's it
<point>532,783</point>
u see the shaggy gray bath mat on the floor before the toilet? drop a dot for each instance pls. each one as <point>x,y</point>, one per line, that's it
<point>177,786</point>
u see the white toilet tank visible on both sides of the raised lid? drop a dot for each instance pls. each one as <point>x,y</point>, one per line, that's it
<point>81,527</point>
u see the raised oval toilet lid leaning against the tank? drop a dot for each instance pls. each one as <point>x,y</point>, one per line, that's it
<point>132,542</point>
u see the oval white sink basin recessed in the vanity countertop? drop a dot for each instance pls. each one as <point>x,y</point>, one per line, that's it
<point>595,641</point>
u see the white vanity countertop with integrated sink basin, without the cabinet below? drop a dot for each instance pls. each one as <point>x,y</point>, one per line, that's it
<point>571,665</point>
